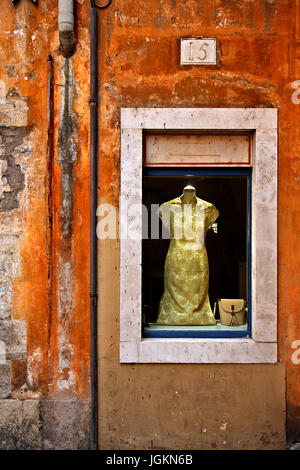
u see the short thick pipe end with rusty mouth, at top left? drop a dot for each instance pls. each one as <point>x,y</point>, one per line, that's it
<point>66,27</point>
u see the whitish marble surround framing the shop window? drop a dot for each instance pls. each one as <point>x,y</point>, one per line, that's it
<point>262,346</point>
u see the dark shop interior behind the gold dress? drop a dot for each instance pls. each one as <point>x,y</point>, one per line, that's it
<point>227,250</point>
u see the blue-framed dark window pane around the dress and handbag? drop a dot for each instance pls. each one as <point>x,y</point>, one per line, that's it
<point>228,245</point>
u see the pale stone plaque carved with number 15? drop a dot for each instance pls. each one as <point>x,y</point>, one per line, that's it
<point>196,51</point>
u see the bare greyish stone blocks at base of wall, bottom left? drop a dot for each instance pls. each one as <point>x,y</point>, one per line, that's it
<point>55,424</point>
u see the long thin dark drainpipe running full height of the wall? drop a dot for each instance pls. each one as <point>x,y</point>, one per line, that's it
<point>93,220</point>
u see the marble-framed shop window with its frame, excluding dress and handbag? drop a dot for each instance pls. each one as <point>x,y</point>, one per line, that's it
<point>242,254</point>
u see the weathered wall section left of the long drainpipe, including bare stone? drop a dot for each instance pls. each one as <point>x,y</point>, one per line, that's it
<point>44,230</point>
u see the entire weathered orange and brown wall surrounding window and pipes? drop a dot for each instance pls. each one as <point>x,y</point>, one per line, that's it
<point>44,223</point>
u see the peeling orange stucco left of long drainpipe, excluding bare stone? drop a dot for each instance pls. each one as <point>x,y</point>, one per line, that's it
<point>51,290</point>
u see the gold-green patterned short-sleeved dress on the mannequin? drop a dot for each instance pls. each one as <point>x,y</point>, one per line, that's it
<point>185,299</point>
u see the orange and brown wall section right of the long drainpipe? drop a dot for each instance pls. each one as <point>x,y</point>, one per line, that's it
<point>197,406</point>
